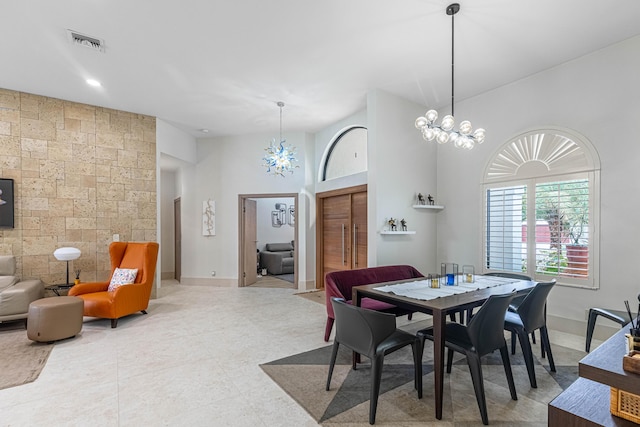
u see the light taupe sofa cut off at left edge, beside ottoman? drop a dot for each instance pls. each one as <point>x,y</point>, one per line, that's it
<point>16,295</point>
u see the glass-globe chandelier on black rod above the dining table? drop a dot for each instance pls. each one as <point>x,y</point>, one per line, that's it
<point>465,136</point>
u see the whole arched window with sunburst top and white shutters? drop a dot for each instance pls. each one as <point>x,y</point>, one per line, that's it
<point>541,216</point>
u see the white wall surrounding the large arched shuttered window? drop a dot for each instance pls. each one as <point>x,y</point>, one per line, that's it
<point>597,96</point>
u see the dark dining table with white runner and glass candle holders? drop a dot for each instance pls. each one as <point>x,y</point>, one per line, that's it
<point>420,296</point>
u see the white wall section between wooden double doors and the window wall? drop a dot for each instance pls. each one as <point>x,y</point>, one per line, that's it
<point>401,164</point>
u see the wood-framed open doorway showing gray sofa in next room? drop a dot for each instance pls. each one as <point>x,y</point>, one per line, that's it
<point>268,240</point>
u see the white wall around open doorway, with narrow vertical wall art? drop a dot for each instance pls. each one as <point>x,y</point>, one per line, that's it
<point>226,168</point>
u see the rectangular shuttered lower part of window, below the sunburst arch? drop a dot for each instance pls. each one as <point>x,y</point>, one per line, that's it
<point>541,229</point>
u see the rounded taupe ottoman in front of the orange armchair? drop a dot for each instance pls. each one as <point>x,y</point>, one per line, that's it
<point>55,318</point>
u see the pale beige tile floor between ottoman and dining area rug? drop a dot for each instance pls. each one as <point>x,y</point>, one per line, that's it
<point>192,361</point>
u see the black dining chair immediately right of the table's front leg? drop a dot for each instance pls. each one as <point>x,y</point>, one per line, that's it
<point>482,335</point>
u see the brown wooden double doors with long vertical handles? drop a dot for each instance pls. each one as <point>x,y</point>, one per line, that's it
<point>341,231</point>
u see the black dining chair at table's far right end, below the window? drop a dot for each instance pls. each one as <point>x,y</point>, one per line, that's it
<point>529,316</point>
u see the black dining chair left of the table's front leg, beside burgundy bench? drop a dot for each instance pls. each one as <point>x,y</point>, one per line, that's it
<point>373,334</point>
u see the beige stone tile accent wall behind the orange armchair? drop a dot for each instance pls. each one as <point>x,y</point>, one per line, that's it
<point>82,174</point>
